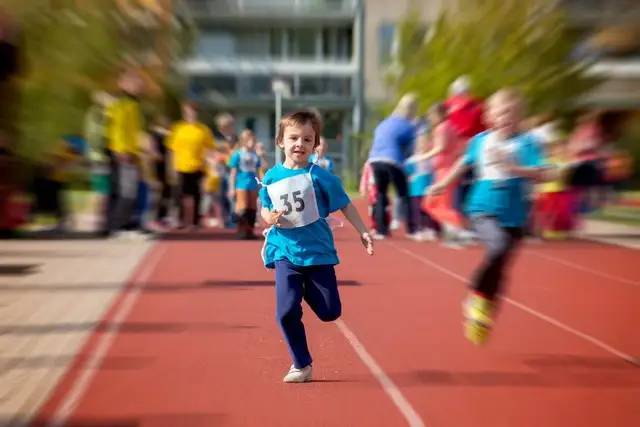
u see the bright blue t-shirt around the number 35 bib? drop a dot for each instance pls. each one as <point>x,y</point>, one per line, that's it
<point>311,244</point>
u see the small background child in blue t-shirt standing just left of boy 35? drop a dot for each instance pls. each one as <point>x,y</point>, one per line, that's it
<point>244,167</point>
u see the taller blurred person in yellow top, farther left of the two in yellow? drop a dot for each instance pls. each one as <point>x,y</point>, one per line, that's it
<point>124,133</point>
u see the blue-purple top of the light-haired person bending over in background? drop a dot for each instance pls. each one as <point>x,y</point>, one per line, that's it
<point>393,139</point>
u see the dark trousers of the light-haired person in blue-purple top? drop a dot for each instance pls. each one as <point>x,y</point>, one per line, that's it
<point>385,174</point>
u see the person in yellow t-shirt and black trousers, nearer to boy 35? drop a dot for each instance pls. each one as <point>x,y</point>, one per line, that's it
<point>189,141</point>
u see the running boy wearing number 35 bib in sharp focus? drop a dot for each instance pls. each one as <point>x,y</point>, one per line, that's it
<point>297,196</point>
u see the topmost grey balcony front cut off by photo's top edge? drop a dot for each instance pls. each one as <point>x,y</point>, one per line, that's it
<point>274,10</point>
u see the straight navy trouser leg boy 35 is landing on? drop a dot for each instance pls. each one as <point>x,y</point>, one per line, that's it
<point>289,293</point>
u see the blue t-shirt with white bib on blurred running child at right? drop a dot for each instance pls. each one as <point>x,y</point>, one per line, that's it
<point>495,193</point>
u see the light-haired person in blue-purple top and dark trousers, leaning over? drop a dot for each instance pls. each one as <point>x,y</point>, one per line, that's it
<point>393,142</point>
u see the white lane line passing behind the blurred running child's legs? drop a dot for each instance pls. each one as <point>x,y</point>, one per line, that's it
<point>527,309</point>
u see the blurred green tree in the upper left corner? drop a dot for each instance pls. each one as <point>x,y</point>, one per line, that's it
<point>71,48</point>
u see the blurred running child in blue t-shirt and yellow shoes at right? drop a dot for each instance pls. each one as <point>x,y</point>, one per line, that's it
<point>504,160</point>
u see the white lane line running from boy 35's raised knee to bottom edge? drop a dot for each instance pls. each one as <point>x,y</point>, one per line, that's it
<point>387,384</point>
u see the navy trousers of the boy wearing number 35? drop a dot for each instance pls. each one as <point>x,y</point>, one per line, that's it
<point>318,286</point>
